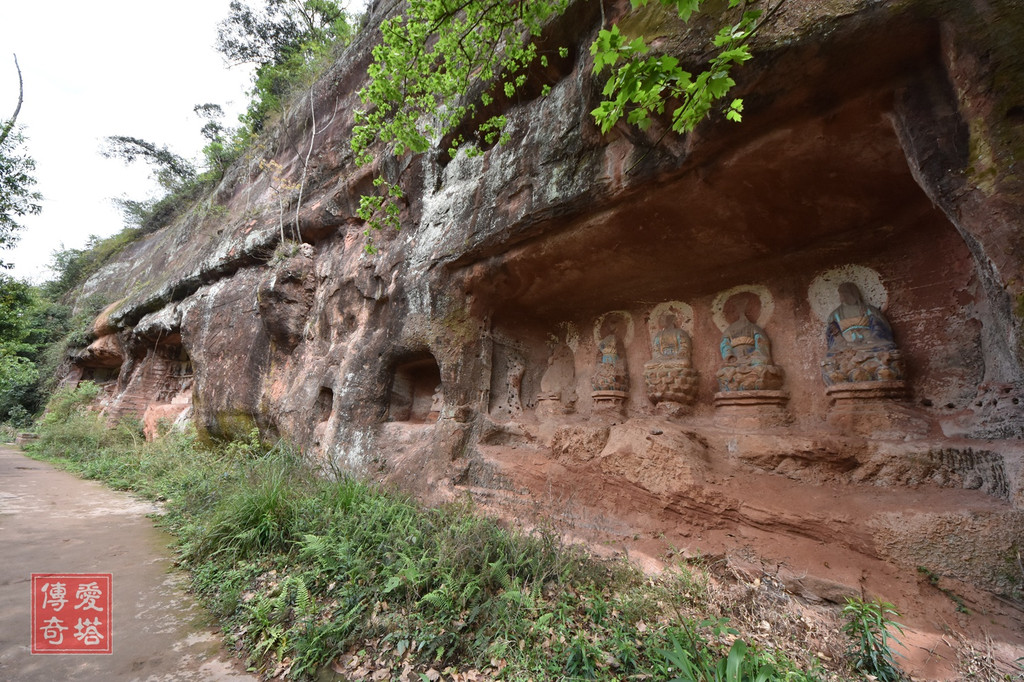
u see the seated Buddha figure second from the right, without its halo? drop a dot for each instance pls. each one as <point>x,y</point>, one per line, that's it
<point>747,353</point>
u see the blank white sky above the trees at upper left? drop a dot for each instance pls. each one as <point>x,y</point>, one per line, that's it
<point>106,68</point>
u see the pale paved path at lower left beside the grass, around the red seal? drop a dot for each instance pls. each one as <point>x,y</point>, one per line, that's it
<point>52,522</point>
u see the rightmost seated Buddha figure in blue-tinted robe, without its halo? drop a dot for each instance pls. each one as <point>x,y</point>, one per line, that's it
<point>862,347</point>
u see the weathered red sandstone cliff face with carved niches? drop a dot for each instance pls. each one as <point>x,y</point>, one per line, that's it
<point>501,344</point>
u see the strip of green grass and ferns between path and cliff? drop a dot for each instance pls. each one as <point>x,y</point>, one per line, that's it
<point>307,571</point>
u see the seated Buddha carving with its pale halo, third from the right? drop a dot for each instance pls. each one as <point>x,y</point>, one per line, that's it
<point>670,376</point>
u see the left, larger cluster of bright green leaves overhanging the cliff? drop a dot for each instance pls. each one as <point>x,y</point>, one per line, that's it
<point>430,58</point>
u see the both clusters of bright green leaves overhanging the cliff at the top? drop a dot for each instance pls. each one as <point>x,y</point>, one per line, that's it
<point>443,63</point>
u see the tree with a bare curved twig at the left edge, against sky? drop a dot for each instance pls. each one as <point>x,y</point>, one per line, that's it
<point>17,197</point>
